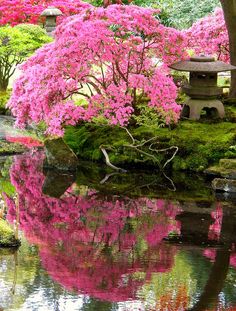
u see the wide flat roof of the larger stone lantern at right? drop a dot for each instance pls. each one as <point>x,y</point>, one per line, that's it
<point>202,64</point>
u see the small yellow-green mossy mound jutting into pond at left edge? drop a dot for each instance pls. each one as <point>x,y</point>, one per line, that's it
<point>7,237</point>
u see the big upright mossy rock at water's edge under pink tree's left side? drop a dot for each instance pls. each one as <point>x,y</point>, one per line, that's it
<point>59,155</point>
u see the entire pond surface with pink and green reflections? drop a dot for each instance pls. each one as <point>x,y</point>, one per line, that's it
<point>103,241</point>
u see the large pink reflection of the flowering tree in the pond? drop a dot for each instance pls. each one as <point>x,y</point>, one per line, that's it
<point>93,244</point>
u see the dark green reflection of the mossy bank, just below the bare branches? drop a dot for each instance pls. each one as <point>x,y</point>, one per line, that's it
<point>142,183</point>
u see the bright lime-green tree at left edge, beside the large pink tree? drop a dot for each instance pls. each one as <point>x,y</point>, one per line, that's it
<point>16,44</point>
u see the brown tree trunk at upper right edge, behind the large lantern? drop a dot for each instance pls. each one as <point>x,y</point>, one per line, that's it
<point>229,8</point>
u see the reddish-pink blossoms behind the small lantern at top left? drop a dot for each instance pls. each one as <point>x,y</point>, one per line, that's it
<point>15,12</point>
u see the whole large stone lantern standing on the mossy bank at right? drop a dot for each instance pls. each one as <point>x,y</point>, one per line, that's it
<point>202,88</point>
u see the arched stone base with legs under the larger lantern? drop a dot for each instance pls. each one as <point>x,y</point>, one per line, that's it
<point>193,107</point>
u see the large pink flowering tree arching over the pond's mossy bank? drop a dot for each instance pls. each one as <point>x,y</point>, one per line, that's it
<point>103,64</point>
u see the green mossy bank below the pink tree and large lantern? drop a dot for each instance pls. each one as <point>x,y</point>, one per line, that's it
<point>200,144</point>
